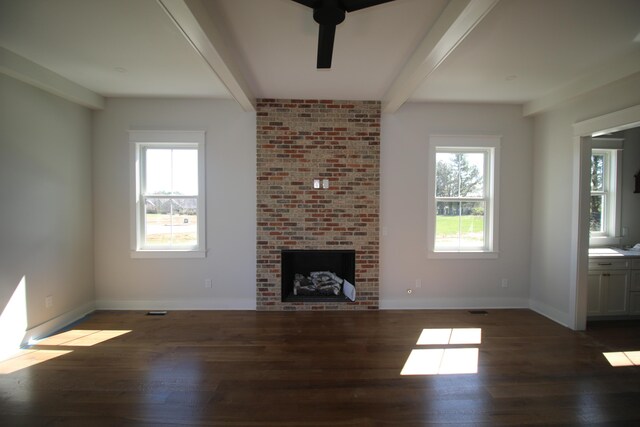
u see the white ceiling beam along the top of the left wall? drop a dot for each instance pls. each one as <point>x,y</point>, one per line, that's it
<point>29,72</point>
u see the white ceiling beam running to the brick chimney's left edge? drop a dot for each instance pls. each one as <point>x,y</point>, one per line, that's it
<point>193,20</point>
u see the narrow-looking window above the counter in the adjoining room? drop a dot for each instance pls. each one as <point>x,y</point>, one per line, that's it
<point>604,202</point>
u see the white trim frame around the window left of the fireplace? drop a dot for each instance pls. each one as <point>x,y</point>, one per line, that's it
<point>145,138</point>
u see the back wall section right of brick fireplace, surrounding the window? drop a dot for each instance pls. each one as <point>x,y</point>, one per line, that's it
<point>452,283</point>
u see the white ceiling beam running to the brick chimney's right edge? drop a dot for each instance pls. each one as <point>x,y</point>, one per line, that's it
<point>452,26</point>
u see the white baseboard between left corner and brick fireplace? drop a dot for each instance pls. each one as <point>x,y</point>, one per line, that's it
<point>218,304</point>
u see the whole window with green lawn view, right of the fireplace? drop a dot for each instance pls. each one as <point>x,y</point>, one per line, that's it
<point>463,196</point>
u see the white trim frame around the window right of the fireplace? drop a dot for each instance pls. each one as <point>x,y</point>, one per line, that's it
<point>492,176</point>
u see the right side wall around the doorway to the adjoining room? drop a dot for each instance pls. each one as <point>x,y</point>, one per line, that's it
<point>553,159</point>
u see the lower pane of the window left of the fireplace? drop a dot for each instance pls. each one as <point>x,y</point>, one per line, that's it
<point>170,222</point>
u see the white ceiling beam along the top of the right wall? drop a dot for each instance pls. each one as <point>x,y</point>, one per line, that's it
<point>611,72</point>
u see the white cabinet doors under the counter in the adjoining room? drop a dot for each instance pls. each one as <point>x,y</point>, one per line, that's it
<point>608,293</point>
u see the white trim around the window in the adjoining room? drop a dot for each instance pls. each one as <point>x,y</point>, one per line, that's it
<point>612,147</point>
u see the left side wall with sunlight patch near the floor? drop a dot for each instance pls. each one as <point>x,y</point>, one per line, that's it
<point>45,204</point>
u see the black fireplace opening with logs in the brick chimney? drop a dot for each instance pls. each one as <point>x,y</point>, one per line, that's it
<point>318,275</point>
